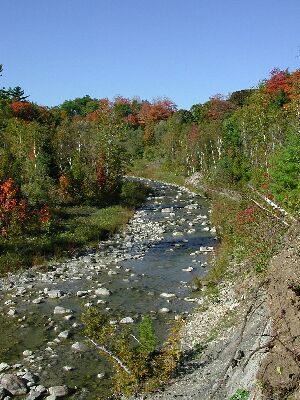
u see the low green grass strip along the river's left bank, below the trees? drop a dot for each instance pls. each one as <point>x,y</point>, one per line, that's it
<point>72,229</point>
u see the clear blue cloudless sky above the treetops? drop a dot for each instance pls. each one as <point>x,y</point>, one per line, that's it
<point>187,50</point>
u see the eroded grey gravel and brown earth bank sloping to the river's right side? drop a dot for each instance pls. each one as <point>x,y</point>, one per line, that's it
<point>238,344</point>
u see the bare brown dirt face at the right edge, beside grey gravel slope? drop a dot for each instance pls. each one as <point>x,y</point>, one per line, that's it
<point>280,370</point>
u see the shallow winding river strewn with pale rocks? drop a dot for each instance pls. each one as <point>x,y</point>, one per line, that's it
<point>160,251</point>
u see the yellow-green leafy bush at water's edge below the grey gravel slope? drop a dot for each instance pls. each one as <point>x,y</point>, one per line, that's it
<point>148,366</point>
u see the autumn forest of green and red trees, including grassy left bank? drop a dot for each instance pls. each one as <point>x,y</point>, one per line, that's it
<point>62,166</point>
